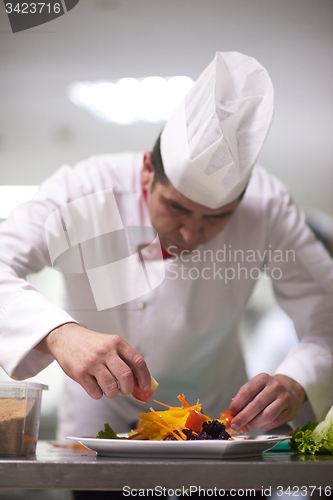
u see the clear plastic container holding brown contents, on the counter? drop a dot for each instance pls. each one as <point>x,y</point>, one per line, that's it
<point>20,405</point>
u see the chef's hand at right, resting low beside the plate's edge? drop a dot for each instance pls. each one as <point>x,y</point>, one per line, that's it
<point>266,402</point>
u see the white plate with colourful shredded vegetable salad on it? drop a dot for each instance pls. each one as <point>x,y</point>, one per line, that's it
<point>179,432</point>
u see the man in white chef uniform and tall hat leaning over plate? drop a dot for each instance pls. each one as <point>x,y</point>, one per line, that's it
<point>160,252</point>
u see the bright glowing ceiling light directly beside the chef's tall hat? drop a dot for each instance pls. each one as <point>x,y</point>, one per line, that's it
<point>130,100</point>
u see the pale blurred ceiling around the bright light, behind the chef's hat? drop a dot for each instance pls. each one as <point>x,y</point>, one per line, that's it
<point>108,39</point>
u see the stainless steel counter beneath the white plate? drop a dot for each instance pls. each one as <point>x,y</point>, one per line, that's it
<point>64,468</point>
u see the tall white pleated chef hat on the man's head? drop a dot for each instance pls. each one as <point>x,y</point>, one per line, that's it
<point>211,142</point>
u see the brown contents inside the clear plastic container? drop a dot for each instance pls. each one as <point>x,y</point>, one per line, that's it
<point>12,418</point>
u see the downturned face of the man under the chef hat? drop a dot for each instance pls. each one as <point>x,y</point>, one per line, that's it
<point>181,223</point>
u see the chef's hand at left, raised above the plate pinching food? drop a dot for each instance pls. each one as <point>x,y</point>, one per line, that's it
<point>96,360</point>
